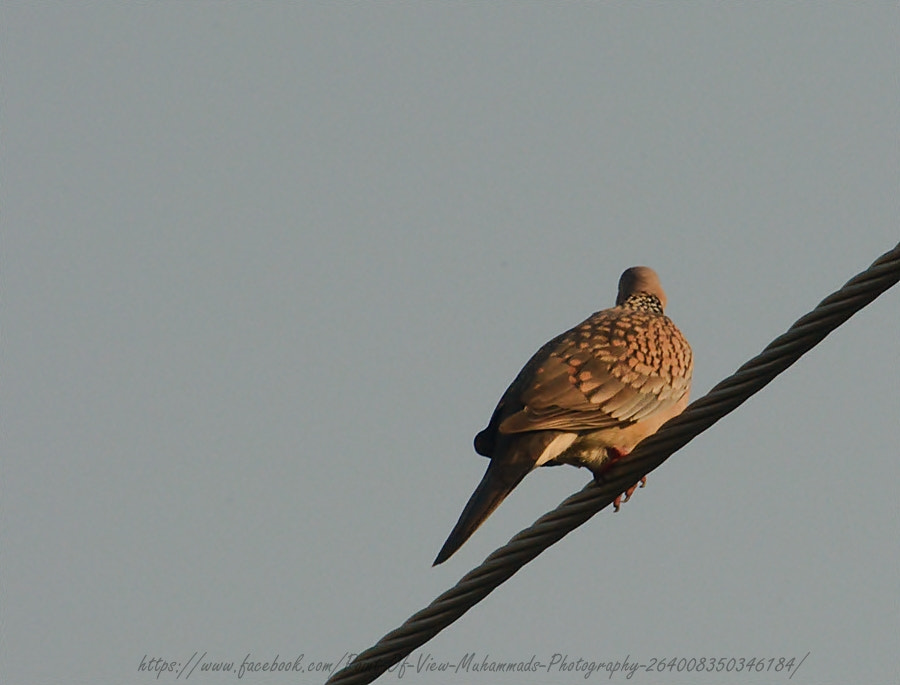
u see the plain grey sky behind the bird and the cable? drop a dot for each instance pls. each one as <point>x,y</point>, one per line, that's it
<point>267,268</point>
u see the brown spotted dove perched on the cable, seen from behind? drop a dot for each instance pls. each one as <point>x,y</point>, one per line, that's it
<point>585,398</point>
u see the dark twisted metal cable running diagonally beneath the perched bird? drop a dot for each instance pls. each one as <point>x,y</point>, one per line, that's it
<point>724,398</point>
